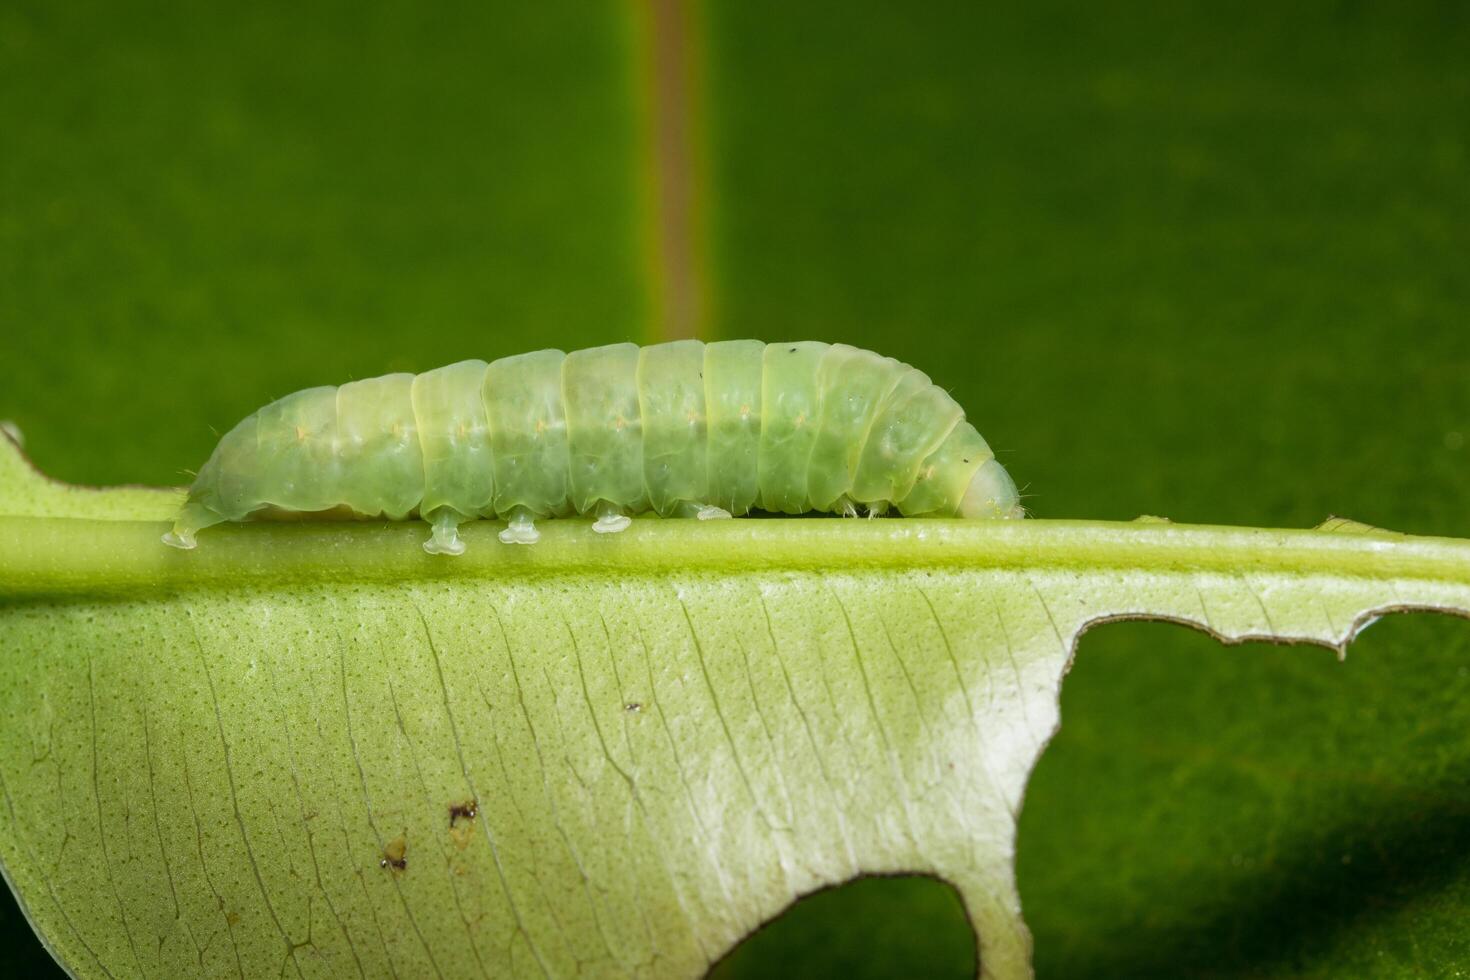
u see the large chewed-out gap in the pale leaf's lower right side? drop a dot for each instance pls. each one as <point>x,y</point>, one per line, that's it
<point>1255,810</point>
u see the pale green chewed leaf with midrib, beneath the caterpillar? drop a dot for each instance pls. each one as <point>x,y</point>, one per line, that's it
<point>665,737</point>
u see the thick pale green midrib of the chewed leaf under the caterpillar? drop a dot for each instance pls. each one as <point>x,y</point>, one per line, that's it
<point>105,558</point>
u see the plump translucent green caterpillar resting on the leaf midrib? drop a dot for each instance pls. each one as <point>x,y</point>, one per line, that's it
<point>684,430</point>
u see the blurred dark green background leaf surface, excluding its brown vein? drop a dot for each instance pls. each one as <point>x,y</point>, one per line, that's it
<point>1177,259</point>
